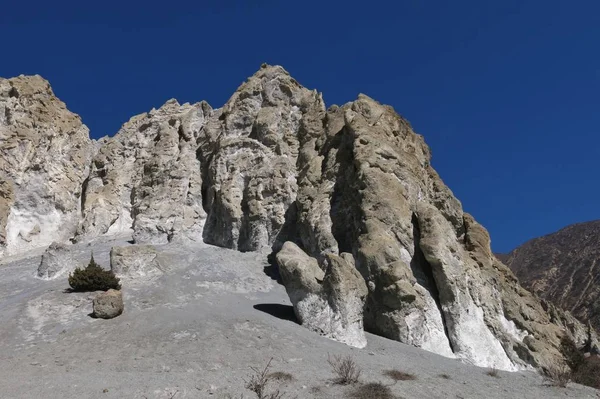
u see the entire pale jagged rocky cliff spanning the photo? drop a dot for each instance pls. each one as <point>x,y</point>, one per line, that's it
<point>366,235</point>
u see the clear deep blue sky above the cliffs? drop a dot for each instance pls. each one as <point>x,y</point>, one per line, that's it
<point>506,93</point>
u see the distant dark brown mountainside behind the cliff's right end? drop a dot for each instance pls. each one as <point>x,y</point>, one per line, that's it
<point>561,268</point>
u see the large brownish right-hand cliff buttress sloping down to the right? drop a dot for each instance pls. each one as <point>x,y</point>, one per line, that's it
<point>366,187</point>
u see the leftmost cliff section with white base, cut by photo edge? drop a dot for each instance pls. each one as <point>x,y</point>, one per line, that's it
<point>44,158</point>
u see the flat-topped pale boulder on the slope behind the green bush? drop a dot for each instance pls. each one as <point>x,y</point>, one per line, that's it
<point>134,261</point>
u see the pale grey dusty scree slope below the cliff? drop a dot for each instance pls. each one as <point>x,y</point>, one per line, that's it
<point>195,331</point>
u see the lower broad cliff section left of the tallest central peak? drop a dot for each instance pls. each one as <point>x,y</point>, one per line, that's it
<point>146,179</point>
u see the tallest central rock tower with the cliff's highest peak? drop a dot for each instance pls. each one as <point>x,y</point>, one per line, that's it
<point>251,168</point>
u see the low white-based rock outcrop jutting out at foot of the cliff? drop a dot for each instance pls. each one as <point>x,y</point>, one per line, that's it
<point>328,302</point>
